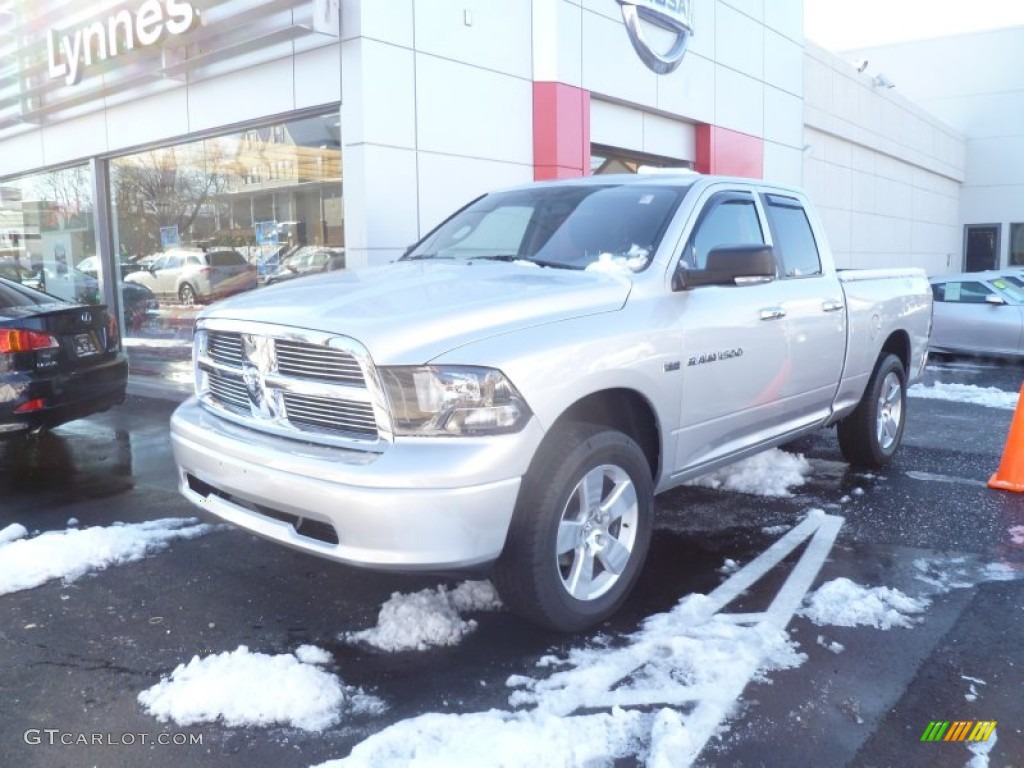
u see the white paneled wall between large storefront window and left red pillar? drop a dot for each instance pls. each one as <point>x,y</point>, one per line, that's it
<point>438,109</point>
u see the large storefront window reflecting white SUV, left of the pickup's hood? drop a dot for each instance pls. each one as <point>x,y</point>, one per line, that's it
<point>196,223</point>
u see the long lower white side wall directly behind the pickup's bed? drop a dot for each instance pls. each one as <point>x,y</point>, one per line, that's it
<point>884,174</point>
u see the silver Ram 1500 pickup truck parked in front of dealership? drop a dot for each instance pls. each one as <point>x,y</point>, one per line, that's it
<point>515,391</point>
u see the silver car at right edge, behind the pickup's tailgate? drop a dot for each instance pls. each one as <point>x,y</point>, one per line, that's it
<point>978,314</point>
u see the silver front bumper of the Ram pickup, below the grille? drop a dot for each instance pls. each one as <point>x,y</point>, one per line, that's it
<point>422,504</point>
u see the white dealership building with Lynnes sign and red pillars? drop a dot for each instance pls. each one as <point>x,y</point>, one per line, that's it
<point>139,133</point>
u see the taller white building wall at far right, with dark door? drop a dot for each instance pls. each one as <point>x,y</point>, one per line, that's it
<point>975,83</point>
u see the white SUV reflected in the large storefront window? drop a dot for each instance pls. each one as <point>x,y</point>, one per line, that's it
<point>191,276</point>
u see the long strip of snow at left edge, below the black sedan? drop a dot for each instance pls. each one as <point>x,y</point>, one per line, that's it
<point>69,554</point>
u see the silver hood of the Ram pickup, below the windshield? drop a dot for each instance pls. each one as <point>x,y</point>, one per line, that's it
<point>410,313</point>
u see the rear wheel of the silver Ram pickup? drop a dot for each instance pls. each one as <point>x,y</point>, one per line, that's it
<point>870,436</point>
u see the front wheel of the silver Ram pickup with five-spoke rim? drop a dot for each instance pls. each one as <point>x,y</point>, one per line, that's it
<point>563,568</point>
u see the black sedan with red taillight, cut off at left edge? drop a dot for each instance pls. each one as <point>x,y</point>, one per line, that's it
<point>60,361</point>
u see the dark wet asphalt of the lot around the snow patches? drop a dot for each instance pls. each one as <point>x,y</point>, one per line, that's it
<point>74,657</point>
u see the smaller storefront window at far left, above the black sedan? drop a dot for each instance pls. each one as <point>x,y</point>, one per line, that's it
<point>48,239</point>
